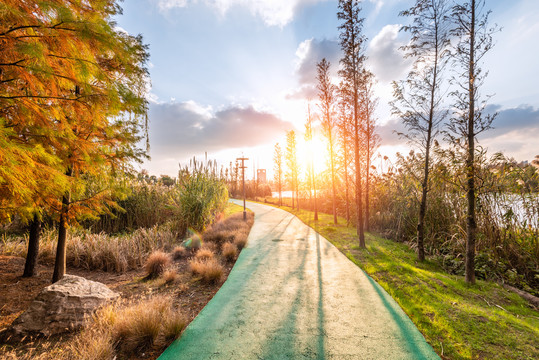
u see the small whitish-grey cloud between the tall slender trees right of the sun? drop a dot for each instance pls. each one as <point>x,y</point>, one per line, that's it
<point>384,57</point>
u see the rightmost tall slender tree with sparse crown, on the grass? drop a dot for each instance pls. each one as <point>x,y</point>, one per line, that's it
<point>475,39</point>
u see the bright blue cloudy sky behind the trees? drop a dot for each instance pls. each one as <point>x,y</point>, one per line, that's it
<point>230,77</point>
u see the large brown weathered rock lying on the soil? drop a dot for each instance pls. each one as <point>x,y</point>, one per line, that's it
<point>62,306</point>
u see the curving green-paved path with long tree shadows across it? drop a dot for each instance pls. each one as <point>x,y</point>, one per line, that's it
<point>293,295</point>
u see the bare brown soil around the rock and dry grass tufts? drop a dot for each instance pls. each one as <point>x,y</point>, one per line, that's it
<point>17,293</point>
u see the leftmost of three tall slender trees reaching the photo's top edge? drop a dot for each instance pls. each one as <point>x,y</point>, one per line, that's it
<point>352,41</point>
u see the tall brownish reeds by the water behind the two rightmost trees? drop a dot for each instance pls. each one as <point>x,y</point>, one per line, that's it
<point>507,215</point>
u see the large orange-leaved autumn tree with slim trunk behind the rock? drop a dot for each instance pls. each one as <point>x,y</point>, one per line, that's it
<point>69,81</point>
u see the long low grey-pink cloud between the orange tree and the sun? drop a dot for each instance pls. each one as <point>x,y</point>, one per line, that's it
<point>180,130</point>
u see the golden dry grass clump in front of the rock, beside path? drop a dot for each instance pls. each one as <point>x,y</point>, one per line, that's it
<point>118,331</point>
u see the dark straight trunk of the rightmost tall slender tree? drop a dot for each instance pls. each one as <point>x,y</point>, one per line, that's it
<point>470,173</point>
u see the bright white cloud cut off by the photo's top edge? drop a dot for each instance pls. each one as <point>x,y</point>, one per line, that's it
<point>272,12</point>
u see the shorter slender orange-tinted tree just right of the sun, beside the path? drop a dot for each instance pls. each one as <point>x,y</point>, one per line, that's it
<point>326,95</point>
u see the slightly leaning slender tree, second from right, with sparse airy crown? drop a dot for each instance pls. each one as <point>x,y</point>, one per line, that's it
<point>419,99</point>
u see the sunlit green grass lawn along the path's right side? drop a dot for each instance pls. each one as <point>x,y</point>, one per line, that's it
<point>484,321</point>
